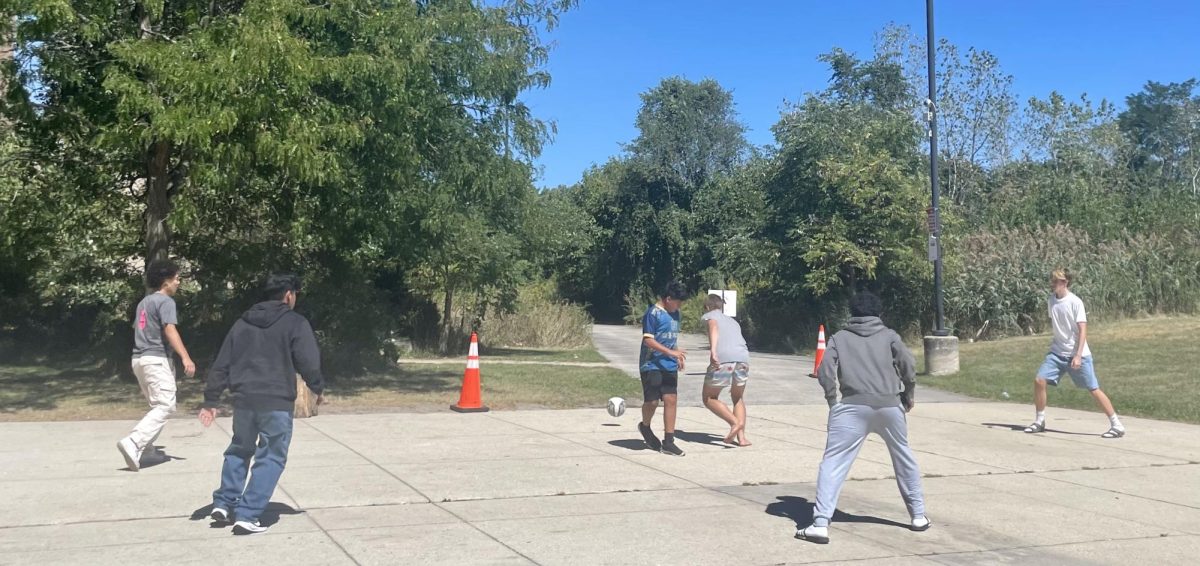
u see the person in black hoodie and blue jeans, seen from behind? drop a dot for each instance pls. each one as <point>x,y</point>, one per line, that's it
<point>259,362</point>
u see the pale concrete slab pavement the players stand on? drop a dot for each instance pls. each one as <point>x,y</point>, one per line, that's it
<point>577,489</point>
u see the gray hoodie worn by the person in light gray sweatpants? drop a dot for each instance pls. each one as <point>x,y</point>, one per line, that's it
<point>869,364</point>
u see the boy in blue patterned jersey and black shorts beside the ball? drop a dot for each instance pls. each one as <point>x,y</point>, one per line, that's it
<point>659,365</point>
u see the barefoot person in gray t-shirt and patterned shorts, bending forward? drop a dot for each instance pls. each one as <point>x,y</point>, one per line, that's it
<point>729,366</point>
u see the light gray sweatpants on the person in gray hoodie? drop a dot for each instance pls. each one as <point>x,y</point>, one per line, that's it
<point>849,427</point>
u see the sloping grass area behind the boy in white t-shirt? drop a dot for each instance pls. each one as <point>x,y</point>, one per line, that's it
<point>1149,368</point>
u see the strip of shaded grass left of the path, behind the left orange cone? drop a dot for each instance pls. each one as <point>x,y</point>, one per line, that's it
<point>81,393</point>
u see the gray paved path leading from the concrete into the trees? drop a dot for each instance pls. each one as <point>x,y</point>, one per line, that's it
<point>775,378</point>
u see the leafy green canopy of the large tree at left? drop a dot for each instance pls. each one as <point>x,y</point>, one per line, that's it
<point>347,139</point>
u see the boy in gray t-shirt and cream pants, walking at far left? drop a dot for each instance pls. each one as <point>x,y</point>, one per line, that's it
<point>155,339</point>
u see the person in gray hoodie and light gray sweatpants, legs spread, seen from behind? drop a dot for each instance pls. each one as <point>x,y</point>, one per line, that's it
<point>873,371</point>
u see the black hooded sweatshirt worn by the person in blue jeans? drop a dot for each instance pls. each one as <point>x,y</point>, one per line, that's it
<point>261,356</point>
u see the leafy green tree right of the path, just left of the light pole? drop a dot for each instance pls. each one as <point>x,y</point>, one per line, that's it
<point>847,198</point>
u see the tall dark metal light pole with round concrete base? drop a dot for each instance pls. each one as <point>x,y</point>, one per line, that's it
<point>941,350</point>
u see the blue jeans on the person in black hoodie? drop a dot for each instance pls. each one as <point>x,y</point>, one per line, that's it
<point>265,436</point>
